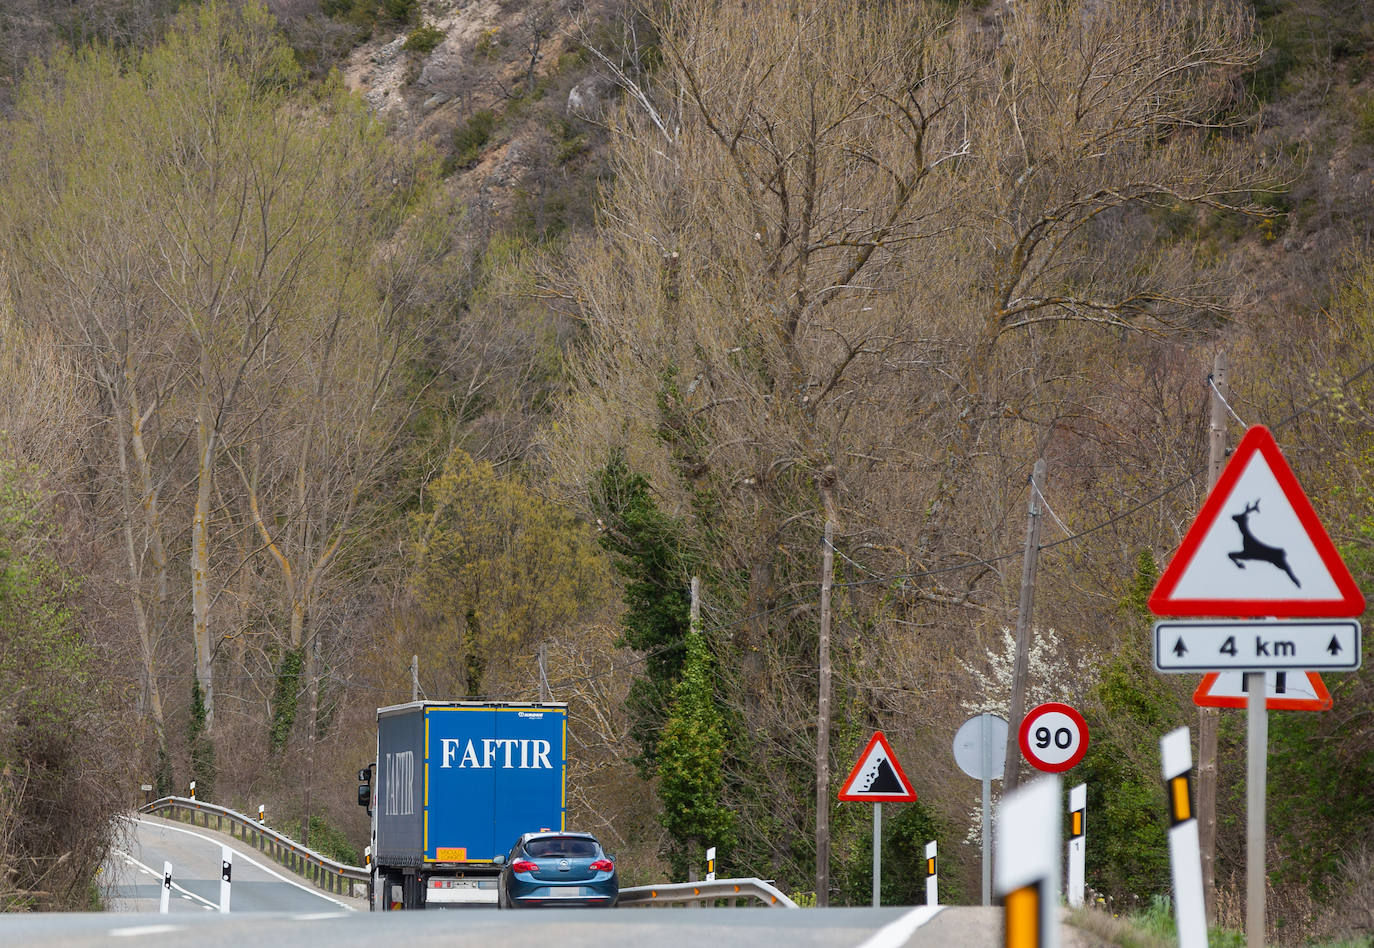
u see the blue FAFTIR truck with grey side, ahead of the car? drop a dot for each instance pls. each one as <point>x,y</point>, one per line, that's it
<point>453,788</point>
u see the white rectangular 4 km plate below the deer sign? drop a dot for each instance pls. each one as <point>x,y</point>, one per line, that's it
<point>1214,646</point>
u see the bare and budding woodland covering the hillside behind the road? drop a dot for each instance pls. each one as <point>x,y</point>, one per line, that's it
<point>341,332</point>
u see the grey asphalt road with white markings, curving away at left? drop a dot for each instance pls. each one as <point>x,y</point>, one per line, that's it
<point>270,907</point>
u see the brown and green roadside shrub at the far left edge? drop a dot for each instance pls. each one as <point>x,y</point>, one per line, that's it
<point>58,795</point>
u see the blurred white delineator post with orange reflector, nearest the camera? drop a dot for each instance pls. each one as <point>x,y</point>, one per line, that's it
<point>1028,864</point>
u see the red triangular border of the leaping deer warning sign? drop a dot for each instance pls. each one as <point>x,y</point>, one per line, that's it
<point>1258,440</point>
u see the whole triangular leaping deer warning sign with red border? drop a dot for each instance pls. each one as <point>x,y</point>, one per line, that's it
<point>1258,549</point>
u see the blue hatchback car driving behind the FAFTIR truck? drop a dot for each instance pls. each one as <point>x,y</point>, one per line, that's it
<point>559,869</point>
